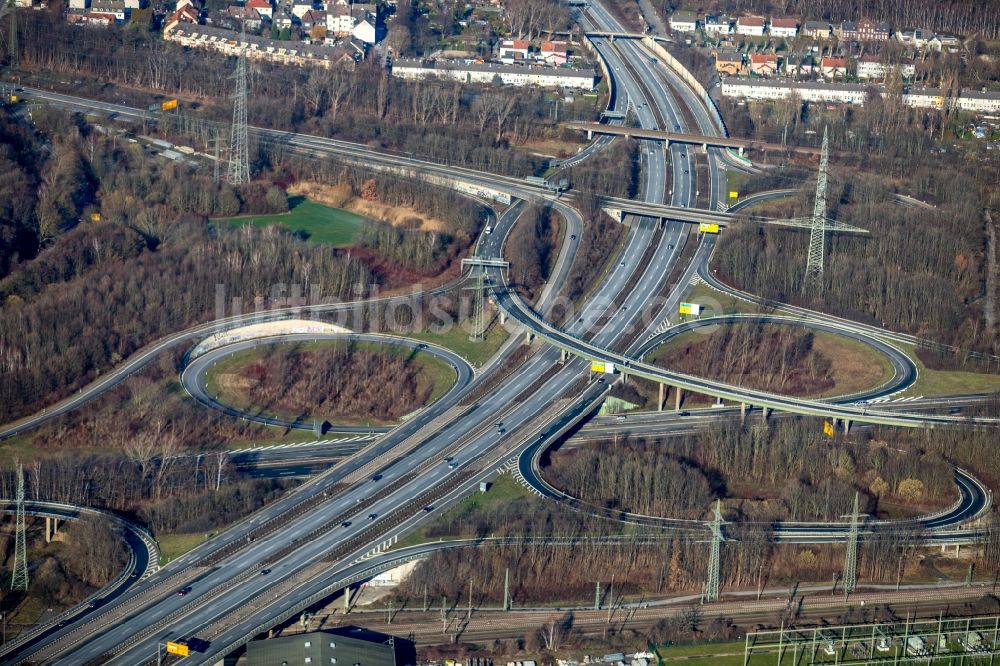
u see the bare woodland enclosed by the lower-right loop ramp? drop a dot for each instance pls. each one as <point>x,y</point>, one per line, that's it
<point>778,472</point>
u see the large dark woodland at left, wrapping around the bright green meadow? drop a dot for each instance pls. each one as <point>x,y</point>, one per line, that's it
<point>97,291</point>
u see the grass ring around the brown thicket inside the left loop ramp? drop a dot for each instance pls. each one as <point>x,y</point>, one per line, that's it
<point>434,375</point>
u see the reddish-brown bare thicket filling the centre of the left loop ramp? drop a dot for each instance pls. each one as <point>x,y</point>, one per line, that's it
<point>331,382</point>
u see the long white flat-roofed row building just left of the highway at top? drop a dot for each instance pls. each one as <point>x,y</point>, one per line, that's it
<point>511,75</point>
